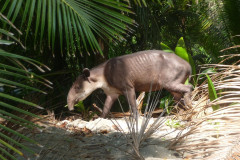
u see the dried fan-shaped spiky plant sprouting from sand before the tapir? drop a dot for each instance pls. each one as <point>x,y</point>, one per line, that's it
<point>140,128</point>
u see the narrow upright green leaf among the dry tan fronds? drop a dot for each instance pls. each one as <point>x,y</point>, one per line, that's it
<point>212,92</point>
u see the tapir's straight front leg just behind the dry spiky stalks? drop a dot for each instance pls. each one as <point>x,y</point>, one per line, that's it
<point>131,97</point>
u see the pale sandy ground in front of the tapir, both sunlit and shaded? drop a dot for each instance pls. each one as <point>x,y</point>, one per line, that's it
<point>98,139</point>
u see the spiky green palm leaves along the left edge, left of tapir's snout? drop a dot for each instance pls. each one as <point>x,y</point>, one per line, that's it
<point>15,79</point>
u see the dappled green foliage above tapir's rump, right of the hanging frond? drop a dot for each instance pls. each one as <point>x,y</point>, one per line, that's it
<point>199,22</point>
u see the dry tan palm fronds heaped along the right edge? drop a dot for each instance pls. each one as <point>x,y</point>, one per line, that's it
<point>214,135</point>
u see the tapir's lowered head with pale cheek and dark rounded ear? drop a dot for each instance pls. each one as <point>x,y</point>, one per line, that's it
<point>81,88</point>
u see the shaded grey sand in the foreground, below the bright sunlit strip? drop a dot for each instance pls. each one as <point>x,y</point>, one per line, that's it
<point>60,144</point>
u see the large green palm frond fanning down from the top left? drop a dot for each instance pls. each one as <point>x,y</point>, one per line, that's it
<point>76,23</point>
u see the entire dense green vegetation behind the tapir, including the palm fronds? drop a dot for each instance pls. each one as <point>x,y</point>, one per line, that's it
<point>68,35</point>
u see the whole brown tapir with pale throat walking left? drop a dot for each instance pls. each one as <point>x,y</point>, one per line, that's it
<point>125,75</point>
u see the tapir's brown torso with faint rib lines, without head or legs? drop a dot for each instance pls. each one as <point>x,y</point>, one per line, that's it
<point>140,70</point>
